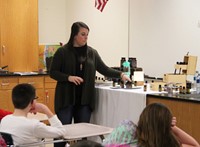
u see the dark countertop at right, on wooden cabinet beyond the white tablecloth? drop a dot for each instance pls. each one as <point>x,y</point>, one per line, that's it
<point>193,97</point>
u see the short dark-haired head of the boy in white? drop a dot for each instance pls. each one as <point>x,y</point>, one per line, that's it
<point>23,95</point>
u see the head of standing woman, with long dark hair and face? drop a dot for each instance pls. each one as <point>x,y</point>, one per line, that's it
<point>79,33</point>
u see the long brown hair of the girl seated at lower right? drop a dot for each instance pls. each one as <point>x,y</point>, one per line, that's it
<point>154,127</point>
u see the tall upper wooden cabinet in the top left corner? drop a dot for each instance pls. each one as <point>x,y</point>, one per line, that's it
<point>19,34</point>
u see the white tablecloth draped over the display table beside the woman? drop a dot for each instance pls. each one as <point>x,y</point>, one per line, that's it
<point>115,105</point>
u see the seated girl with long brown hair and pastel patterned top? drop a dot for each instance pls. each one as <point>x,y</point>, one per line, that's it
<point>156,128</point>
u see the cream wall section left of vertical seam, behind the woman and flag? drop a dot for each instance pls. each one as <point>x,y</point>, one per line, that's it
<point>108,30</point>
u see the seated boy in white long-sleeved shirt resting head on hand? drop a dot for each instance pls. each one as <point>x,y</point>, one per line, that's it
<point>23,129</point>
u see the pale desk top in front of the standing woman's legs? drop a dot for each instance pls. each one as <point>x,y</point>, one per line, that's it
<point>83,130</point>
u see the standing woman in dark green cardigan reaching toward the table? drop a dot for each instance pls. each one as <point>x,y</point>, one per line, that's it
<point>74,67</point>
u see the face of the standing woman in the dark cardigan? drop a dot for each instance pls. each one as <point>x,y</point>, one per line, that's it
<point>81,38</point>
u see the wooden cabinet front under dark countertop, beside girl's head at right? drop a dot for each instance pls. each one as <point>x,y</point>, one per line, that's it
<point>186,113</point>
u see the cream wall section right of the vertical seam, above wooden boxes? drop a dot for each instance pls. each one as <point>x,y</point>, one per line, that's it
<point>162,32</point>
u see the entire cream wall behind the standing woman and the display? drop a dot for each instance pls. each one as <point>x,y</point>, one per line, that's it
<point>159,34</point>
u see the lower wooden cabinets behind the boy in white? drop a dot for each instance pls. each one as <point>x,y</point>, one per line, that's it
<point>44,85</point>
